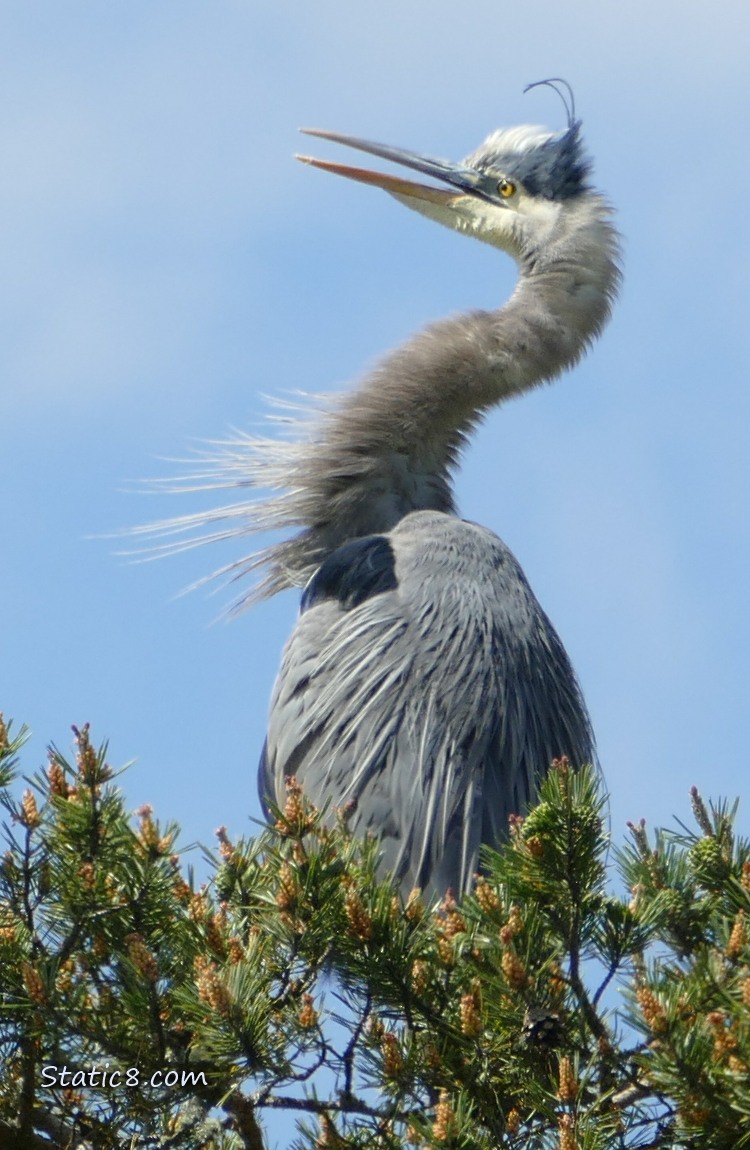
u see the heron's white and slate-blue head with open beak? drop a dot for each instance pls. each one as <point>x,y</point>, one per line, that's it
<point>510,193</point>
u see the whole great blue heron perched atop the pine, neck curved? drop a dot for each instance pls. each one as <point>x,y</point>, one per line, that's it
<point>424,689</point>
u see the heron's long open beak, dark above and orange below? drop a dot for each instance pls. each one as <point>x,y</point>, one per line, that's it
<point>464,180</point>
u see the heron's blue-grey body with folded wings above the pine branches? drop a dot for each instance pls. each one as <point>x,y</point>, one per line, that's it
<point>418,701</point>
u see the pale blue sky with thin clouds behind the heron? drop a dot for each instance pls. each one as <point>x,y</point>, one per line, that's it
<point>167,264</point>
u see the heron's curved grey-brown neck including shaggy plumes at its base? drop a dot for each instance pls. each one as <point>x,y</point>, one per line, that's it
<point>389,447</point>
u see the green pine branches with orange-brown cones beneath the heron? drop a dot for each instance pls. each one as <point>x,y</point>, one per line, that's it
<point>544,1011</point>
